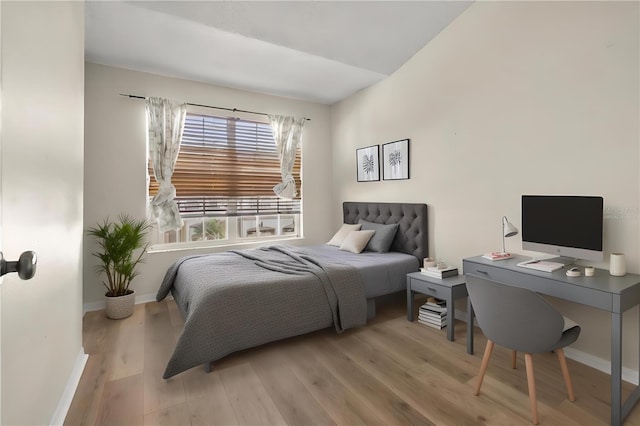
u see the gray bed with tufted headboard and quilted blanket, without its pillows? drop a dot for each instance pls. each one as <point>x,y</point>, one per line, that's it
<point>244,298</point>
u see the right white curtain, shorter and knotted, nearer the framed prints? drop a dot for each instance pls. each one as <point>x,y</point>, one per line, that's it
<point>287,132</point>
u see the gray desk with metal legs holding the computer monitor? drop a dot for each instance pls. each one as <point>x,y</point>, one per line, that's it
<point>602,291</point>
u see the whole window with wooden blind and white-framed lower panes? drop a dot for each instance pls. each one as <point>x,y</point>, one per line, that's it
<point>224,178</point>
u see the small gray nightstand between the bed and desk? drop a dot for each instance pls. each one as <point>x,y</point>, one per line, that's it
<point>448,289</point>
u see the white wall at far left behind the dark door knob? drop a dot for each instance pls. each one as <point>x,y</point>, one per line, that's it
<point>42,156</point>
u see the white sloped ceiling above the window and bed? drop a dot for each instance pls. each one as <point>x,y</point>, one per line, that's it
<point>319,51</point>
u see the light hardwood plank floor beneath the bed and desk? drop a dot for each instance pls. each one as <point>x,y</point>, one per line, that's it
<point>391,372</point>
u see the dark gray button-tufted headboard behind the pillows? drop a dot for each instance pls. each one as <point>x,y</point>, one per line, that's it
<point>412,236</point>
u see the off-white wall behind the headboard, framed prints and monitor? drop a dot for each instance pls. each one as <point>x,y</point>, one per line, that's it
<point>512,98</point>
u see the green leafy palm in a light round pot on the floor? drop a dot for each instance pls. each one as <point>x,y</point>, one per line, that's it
<point>121,245</point>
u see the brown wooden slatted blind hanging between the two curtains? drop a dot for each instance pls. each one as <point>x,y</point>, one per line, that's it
<point>228,167</point>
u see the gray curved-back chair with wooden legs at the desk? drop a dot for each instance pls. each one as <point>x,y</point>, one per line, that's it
<point>520,320</point>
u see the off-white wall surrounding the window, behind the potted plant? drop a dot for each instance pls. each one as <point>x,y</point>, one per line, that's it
<point>115,157</point>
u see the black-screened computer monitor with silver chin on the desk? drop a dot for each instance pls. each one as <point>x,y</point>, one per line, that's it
<point>567,226</point>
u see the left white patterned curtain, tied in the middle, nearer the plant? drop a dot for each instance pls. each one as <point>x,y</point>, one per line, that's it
<point>165,122</point>
